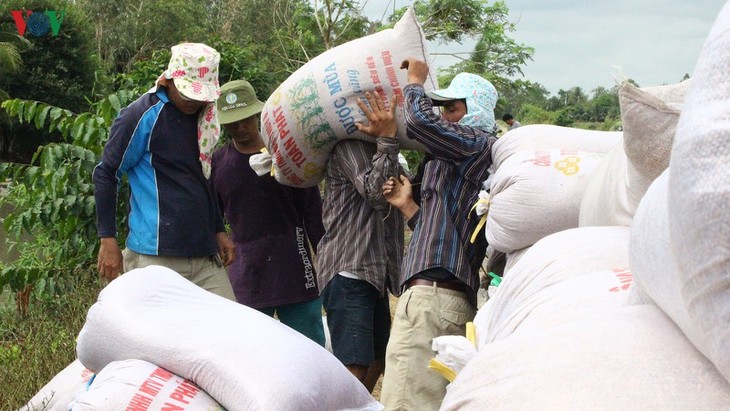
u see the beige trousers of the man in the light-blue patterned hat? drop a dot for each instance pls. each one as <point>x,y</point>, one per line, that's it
<point>423,312</point>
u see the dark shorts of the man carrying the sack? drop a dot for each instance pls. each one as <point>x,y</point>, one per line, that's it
<point>358,318</point>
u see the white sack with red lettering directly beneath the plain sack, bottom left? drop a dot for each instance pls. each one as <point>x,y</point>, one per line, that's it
<point>140,385</point>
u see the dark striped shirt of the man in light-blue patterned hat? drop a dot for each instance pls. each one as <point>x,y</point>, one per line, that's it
<point>450,188</point>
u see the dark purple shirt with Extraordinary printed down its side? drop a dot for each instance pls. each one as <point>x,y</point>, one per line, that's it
<point>272,226</point>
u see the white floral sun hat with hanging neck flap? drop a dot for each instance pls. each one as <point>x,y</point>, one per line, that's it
<point>194,69</point>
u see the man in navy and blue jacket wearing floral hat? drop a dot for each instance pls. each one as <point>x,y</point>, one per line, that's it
<point>163,143</point>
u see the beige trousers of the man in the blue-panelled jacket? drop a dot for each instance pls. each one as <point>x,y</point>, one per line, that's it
<point>203,271</point>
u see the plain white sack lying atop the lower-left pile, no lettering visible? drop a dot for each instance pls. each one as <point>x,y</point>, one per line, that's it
<point>244,359</point>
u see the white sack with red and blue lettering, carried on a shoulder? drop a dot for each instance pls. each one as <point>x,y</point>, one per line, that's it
<point>316,106</point>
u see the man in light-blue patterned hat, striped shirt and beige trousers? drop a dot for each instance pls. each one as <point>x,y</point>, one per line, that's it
<point>440,274</point>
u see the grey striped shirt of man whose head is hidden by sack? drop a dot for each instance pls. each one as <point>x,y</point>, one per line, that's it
<point>363,235</point>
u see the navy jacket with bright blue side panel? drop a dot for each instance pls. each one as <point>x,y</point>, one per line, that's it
<point>173,211</point>
